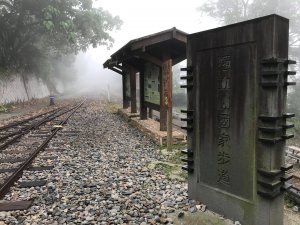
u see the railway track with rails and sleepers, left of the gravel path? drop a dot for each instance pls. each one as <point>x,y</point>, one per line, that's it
<point>20,145</point>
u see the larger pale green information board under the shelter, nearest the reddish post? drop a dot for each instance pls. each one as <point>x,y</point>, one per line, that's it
<point>152,84</point>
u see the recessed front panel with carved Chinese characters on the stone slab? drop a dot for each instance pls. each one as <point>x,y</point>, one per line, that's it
<point>230,132</point>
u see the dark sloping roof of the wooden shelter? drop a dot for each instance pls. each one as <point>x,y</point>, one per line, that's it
<point>153,48</point>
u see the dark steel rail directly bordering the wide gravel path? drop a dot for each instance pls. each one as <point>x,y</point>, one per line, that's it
<point>18,173</point>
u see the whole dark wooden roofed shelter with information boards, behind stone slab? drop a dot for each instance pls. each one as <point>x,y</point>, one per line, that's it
<point>152,57</point>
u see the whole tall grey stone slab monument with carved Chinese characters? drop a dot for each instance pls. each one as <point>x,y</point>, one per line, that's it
<point>237,112</point>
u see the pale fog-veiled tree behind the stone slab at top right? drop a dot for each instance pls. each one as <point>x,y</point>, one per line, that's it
<point>232,11</point>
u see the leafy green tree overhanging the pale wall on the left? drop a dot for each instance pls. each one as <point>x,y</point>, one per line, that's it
<point>34,33</point>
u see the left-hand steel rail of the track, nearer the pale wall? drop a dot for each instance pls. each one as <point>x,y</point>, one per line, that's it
<point>31,127</point>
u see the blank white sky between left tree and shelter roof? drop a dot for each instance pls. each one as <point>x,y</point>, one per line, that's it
<point>144,17</point>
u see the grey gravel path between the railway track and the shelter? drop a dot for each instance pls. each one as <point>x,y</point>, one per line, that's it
<point>100,177</point>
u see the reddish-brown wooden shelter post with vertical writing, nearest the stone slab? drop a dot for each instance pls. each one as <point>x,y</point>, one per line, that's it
<point>167,98</point>
